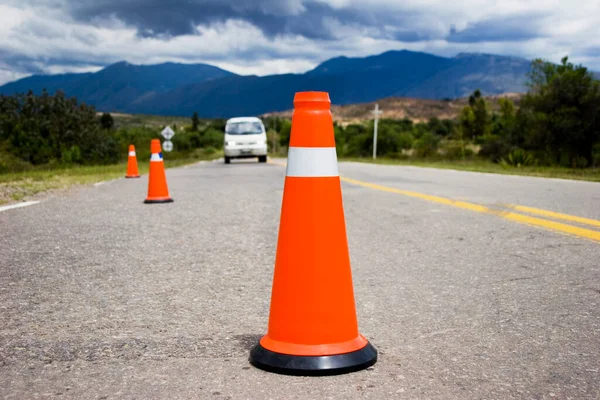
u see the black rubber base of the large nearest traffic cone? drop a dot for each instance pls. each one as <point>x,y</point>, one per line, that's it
<point>313,365</point>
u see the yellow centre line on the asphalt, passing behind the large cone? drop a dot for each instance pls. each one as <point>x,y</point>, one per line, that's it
<point>511,216</point>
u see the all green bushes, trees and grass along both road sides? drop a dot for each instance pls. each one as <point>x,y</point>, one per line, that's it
<point>52,141</point>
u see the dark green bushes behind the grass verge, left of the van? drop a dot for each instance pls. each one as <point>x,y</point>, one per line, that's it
<point>55,132</point>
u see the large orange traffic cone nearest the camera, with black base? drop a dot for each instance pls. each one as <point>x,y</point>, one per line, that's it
<point>313,327</point>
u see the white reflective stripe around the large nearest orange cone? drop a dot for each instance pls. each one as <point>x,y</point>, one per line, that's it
<point>312,162</point>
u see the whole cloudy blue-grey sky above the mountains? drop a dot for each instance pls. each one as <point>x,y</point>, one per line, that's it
<point>275,36</point>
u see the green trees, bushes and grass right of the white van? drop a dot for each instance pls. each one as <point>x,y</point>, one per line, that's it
<point>557,125</point>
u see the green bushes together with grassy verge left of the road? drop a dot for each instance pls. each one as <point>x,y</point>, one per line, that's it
<point>52,142</point>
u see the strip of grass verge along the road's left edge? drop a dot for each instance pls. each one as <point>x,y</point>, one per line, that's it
<point>20,185</point>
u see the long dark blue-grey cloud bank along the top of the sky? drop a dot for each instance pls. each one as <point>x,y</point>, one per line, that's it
<point>308,18</point>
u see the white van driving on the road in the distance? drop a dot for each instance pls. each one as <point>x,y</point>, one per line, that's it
<point>245,137</point>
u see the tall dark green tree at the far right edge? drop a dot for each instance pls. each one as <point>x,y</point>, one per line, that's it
<point>560,115</point>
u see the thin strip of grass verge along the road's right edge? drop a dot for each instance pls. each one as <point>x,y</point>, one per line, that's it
<point>590,174</point>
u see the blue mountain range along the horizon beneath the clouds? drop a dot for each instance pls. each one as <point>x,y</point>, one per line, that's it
<point>181,89</point>
